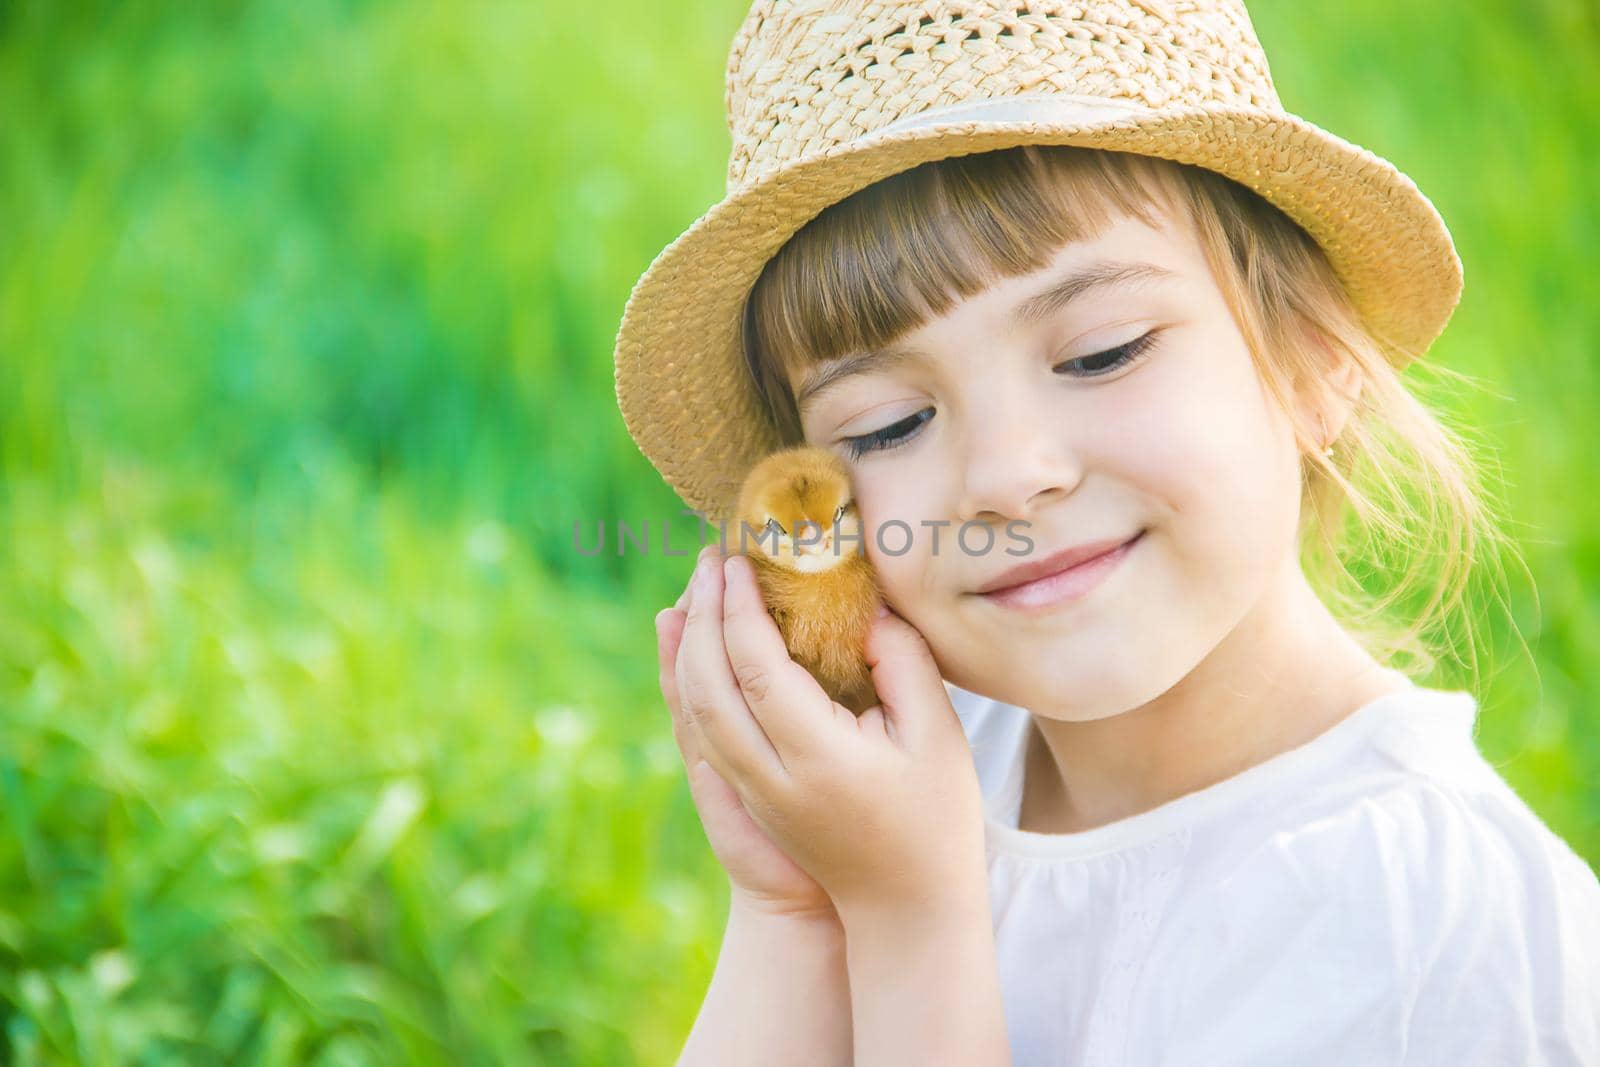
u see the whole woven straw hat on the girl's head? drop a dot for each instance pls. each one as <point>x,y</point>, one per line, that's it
<point>828,97</point>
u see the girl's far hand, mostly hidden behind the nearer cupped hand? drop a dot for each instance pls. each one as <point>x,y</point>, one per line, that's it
<point>762,874</point>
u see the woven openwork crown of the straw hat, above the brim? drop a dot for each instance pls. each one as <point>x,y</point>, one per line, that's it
<point>807,76</point>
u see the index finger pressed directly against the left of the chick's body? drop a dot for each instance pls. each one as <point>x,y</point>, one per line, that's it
<point>782,695</point>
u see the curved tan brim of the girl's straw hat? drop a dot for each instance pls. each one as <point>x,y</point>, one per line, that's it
<point>681,377</point>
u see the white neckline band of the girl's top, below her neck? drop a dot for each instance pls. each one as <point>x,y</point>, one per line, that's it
<point>1002,807</point>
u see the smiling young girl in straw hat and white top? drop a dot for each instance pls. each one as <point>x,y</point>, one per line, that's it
<point>1135,796</point>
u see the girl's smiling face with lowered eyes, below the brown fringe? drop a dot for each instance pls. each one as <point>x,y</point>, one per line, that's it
<point>1124,409</point>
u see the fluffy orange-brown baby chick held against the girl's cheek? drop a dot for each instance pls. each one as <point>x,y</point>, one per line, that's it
<point>799,527</point>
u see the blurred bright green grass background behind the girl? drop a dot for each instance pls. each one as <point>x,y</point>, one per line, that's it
<point>319,743</point>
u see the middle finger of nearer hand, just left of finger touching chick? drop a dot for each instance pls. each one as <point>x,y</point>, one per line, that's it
<point>734,743</point>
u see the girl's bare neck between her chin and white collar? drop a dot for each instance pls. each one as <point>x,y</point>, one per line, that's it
<point>1286,674</point>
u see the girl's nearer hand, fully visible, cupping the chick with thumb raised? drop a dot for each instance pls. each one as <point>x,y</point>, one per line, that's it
<point>884,812</point>
